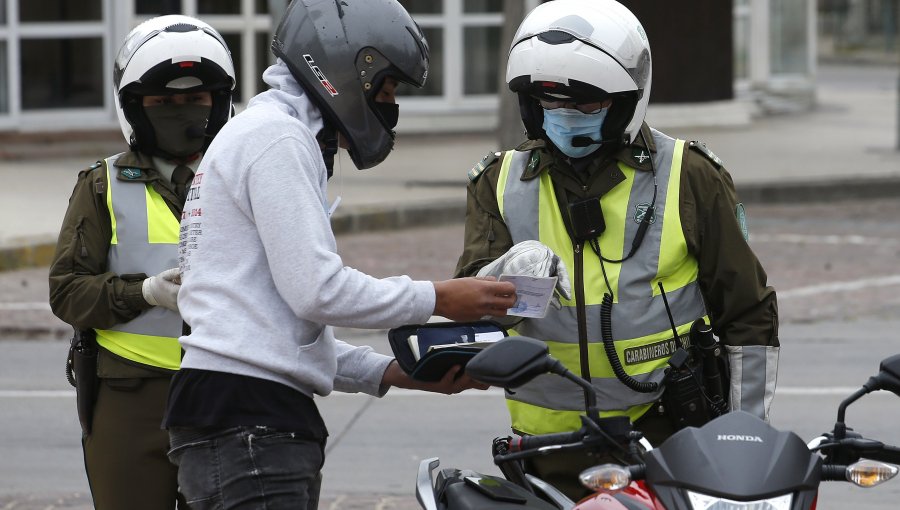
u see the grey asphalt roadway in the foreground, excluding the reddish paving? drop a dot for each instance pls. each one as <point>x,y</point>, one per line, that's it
<point>376,445</point>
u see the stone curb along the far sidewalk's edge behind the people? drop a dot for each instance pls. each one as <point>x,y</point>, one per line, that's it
<point>38,252</point>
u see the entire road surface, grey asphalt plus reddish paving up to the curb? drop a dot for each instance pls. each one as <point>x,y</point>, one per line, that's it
<point>835,266</point>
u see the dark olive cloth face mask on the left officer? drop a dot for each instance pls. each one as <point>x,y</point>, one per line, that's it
<point>180,129</point>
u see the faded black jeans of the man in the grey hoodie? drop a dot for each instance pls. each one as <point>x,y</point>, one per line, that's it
<point>247,467</point>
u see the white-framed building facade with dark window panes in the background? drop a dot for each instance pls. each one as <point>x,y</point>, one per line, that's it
<point>56,56</point>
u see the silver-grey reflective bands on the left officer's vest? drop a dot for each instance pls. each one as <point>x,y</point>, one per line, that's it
<point>134,253</point>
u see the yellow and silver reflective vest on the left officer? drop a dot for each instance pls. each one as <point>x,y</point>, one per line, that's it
<point>144,240</point>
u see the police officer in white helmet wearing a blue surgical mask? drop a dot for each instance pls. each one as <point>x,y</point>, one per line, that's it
<point>644,231</point>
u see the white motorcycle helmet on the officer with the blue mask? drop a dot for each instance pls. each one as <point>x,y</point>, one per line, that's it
<point>586,51</point>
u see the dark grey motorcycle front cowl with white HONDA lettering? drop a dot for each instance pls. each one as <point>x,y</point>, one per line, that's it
<point>736,456</point>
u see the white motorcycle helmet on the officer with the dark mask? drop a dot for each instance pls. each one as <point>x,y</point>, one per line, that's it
<point>165,55</point>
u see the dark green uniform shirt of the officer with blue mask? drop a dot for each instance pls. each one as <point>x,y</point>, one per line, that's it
<point>742,308</point>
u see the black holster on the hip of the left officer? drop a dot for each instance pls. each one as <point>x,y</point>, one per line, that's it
<point>81,370</point>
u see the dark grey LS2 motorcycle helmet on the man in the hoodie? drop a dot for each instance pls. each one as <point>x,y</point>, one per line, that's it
<point>340,52</point>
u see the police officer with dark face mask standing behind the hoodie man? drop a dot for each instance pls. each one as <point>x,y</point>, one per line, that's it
<point>114,276</point>
